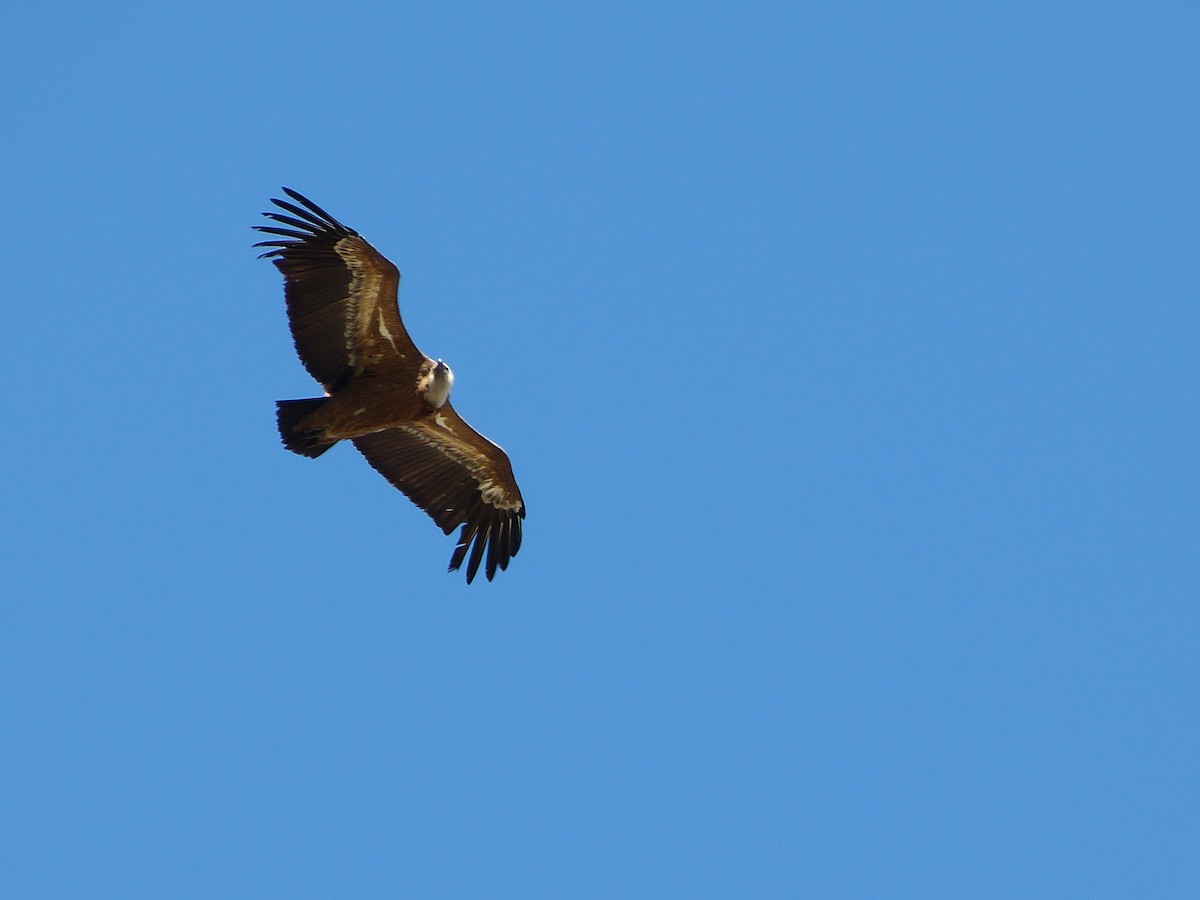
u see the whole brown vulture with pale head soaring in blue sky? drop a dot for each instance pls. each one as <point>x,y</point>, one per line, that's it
<point>382,393</point>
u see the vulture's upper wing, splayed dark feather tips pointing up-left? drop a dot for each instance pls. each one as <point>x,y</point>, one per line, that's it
<point>341,295</point>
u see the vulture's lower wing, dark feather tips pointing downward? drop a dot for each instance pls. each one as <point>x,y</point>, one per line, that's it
<point>459,478</point>
